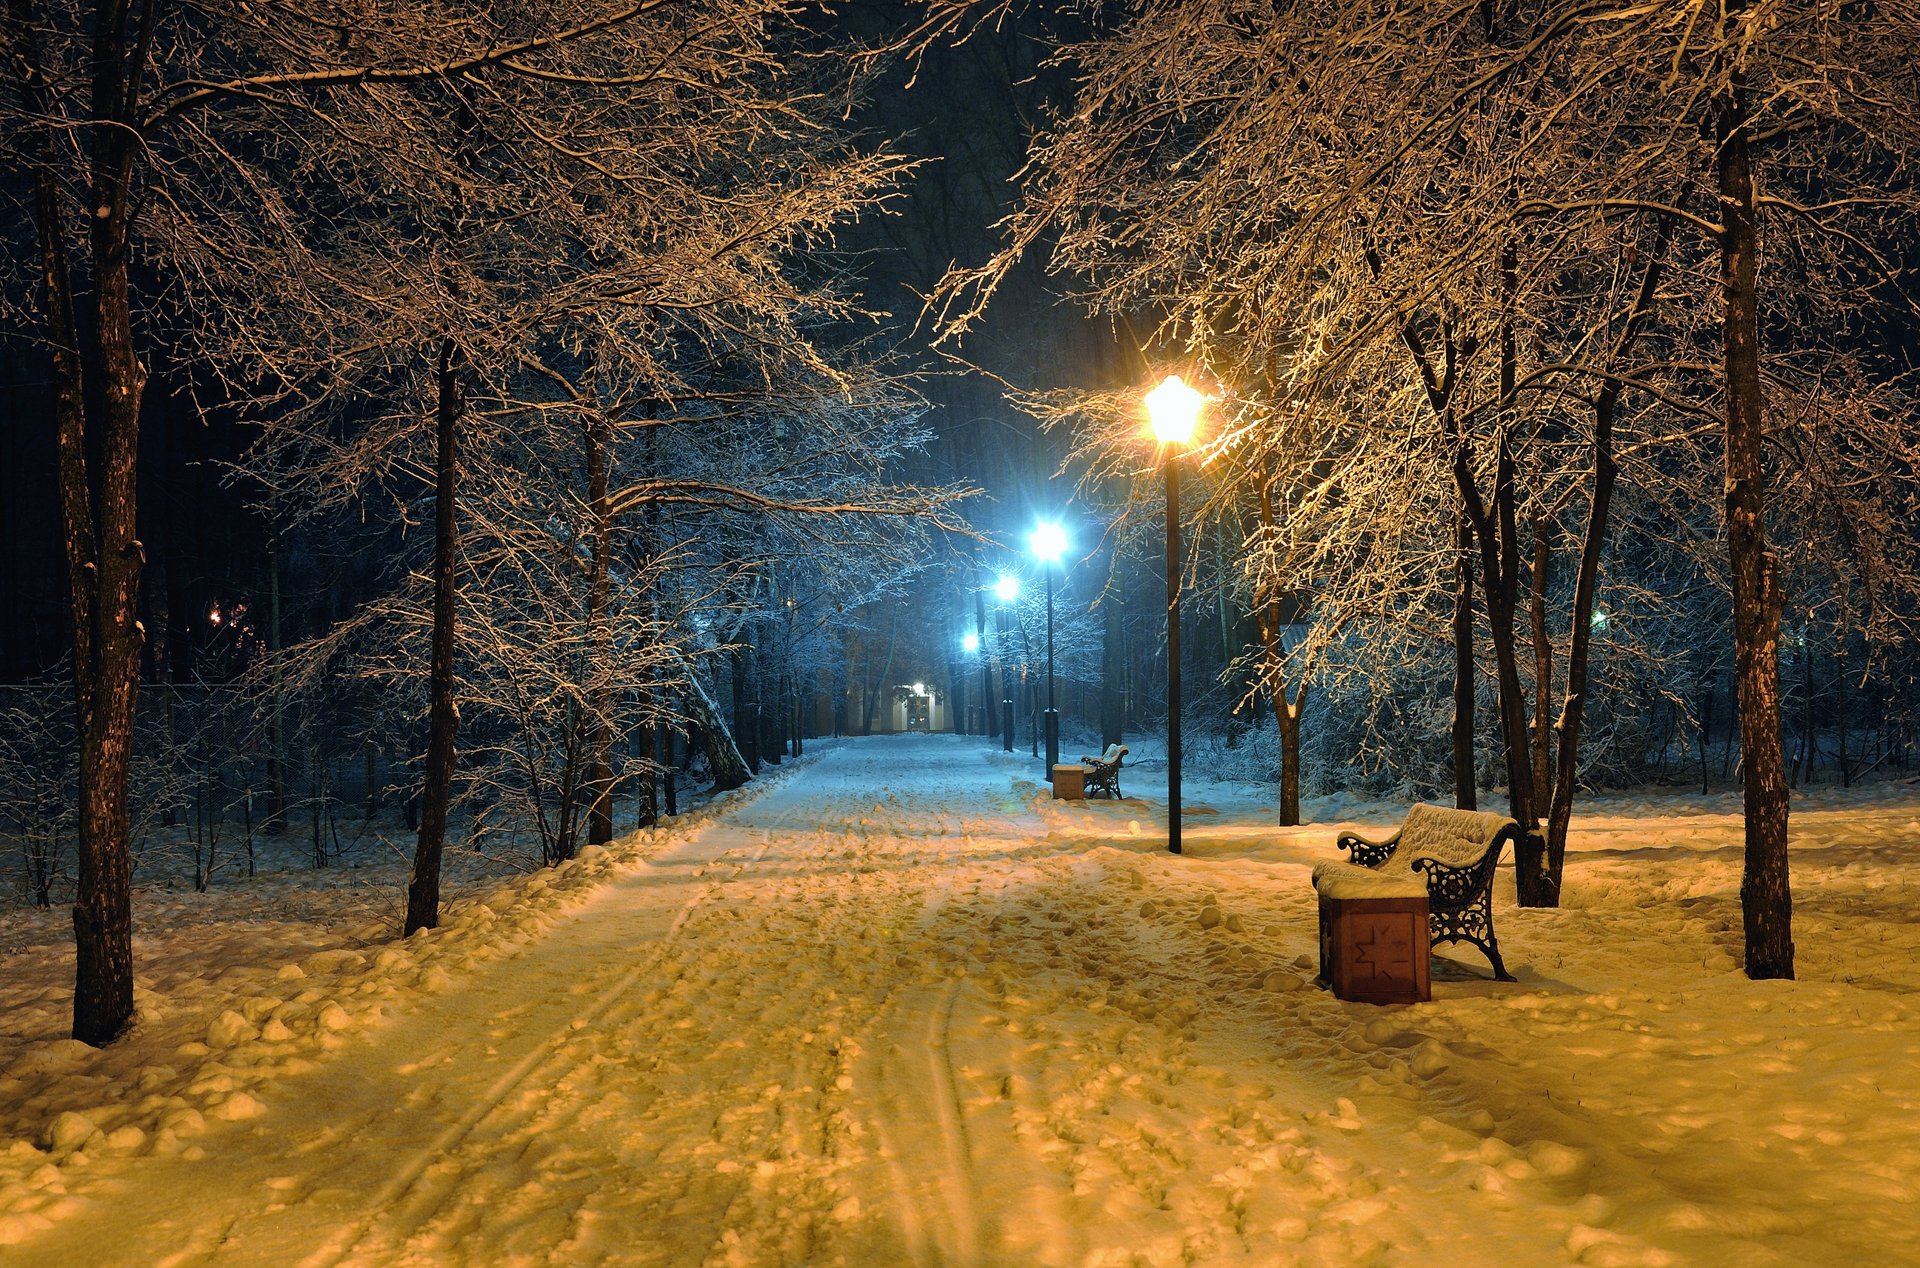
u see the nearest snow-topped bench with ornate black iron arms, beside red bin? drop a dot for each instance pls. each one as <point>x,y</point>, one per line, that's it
<point>1441,854</point>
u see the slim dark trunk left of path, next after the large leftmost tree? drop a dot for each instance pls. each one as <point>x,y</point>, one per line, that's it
<point>437,787</point>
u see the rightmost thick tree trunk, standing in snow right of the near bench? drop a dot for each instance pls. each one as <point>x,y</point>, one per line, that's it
<point>1765,896</point>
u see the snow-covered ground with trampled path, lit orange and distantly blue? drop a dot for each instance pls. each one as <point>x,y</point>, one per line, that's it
<point>898,1008</point>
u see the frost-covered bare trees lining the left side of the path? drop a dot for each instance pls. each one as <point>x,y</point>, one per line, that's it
<point>539,303</point>
